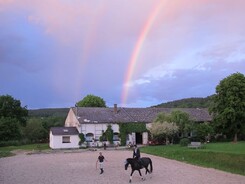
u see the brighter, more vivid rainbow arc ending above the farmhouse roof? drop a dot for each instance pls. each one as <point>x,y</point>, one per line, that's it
<point>136,51</point>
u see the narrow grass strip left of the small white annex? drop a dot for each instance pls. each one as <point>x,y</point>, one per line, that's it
<point>6,151</point>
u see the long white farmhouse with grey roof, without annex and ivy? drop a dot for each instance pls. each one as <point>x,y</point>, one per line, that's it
<point>92,122</point>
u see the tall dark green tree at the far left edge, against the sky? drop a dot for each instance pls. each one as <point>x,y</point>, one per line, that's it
<point>11,108</point>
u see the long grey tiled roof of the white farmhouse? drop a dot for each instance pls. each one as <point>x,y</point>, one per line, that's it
<point>129,115</point>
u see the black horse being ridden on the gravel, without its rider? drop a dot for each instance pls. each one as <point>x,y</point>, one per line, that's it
<point>136,165</point>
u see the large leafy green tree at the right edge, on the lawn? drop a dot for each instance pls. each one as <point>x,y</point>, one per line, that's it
<point>229,105</point>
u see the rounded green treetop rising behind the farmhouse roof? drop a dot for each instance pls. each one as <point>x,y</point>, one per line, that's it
<point>91,101</point>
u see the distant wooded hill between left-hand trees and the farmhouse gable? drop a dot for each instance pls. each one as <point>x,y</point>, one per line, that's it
<point>54,112</point>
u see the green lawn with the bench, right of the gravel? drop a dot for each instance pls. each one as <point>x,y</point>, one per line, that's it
<point>228,157</point>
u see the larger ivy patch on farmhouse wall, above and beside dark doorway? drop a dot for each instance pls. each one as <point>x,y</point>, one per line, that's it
<point>128,128</point>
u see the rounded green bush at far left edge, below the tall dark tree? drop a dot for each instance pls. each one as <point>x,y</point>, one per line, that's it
<point>9,129</point>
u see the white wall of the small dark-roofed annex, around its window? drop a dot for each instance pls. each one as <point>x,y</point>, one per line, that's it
<point>56,142</point>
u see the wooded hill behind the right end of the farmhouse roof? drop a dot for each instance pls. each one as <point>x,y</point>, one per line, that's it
<point>188,103</point>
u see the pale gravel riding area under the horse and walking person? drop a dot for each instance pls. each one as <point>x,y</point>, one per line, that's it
<point>79,168</point>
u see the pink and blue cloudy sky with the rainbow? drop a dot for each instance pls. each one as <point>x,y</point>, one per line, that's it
<point>133,53</point>
